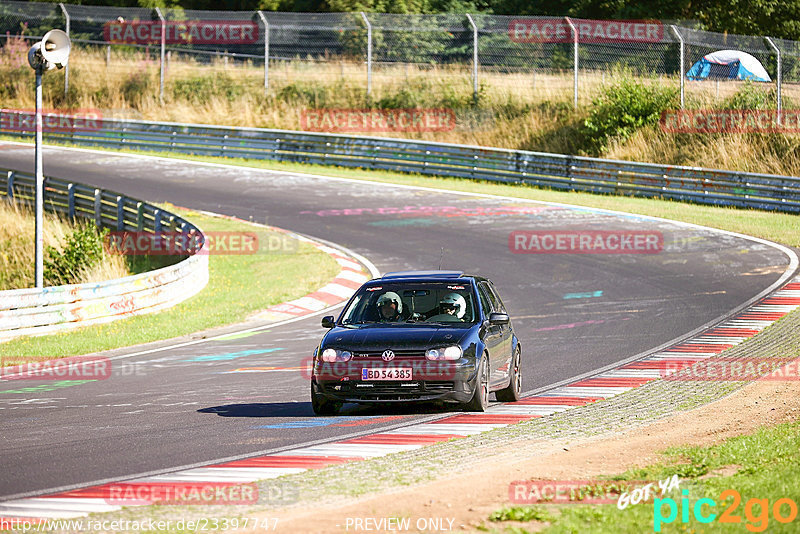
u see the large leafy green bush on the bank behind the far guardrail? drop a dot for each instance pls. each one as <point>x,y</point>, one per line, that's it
<point>623,108</point>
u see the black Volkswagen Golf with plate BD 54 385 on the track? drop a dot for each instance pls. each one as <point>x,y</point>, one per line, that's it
<point>418,336</point>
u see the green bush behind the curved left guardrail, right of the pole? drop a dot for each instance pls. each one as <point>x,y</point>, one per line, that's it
<point>82,251</point>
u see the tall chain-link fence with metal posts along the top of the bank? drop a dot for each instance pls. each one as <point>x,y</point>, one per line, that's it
<point>387,56</point>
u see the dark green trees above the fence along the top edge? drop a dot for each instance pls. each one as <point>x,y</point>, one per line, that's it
<point>776,18</point>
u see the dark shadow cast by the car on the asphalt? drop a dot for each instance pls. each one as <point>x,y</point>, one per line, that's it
<point>303,409</point>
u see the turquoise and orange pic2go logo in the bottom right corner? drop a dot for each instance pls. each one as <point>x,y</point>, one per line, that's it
<point>702,511</point>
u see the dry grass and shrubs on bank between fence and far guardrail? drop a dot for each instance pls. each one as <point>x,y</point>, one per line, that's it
<point>618,116</point>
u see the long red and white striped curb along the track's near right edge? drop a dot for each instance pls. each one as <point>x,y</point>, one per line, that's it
<point>707,344</point>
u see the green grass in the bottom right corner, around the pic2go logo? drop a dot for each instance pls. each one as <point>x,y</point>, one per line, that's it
<point>766,465</point>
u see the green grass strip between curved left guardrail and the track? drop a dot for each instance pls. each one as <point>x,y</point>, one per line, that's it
<point>238,286</point>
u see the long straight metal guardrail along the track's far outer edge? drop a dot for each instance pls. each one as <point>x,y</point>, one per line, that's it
<point>574,173</point>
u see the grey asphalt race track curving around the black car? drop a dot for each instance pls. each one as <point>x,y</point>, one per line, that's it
<point>178,406</point>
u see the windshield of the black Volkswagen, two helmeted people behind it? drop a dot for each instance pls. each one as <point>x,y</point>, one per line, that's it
<point>441,303</point>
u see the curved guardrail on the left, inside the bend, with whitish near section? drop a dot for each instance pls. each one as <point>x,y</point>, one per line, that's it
<point>34,312</point>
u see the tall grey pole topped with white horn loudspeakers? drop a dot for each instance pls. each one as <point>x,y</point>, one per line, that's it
<point>51,52</point>
